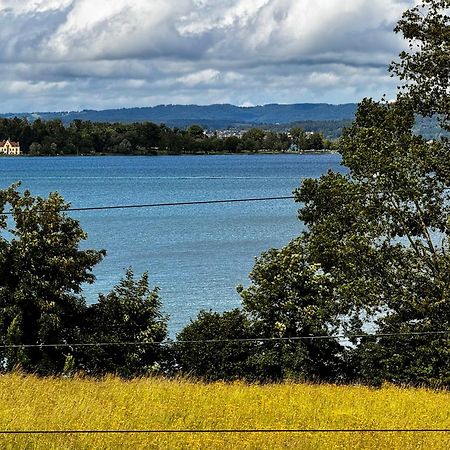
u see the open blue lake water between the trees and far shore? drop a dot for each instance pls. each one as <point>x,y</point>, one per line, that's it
<point>197,255</point>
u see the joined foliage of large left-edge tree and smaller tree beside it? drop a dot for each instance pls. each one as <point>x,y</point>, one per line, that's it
<point>42,270</point>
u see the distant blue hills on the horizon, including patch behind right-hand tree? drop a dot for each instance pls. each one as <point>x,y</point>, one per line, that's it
<point>314,117</point>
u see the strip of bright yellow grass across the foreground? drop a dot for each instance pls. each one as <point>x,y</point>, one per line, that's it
<point>29,403</point>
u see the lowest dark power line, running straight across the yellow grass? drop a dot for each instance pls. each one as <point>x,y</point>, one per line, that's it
<point>231,431</point>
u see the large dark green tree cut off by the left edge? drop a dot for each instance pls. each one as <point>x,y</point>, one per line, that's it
<point>42,270</point>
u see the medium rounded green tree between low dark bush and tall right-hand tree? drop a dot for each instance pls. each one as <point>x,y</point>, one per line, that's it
<point>288,298</point>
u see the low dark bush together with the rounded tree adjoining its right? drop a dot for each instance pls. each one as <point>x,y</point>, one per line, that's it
<point>288,297</point>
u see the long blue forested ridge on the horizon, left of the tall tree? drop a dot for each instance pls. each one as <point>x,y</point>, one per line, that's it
<point>211,116</point>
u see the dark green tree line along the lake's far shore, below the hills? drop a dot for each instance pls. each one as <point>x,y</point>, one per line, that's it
<point>89,138</point>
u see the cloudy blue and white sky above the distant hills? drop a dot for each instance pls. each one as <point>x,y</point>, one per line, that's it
<point>61,55</point>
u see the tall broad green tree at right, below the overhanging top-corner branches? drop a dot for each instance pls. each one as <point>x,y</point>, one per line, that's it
<point>381,233</point>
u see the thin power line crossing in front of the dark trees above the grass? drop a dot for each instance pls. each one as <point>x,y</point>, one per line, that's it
<point>237,340</point>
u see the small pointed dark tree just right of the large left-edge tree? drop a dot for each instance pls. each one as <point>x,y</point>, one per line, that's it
<point>130,313</point>
